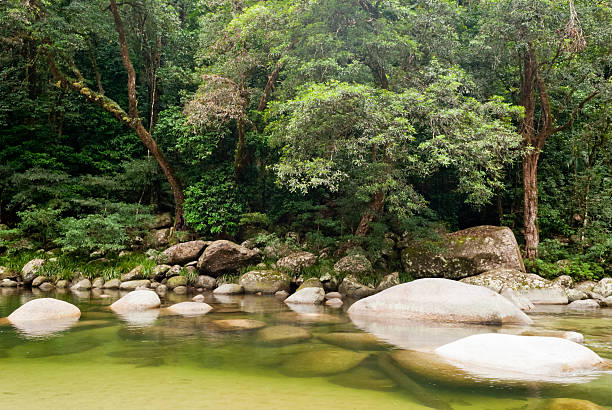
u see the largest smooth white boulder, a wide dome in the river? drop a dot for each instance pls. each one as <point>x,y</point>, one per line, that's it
<point>439,300</point>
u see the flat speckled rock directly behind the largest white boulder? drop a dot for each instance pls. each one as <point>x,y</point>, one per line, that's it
<point>537,289</point>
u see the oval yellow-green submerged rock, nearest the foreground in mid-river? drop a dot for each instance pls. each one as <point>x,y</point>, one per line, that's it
<point>322,362</point>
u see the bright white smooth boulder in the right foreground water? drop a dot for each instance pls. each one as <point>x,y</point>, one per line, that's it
<point>495,355</point>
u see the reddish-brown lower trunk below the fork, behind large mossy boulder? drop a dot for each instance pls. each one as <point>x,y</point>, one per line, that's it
<point>530,213</point>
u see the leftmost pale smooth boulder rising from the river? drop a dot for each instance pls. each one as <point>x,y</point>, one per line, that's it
<point>44,309</point>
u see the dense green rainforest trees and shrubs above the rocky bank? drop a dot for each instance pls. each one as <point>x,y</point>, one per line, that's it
<point>345,121</point>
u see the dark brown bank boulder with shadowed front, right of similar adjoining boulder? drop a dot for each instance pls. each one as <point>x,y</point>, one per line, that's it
<point>225,256</point>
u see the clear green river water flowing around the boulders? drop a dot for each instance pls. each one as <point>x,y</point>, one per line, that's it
<point>163,361</point>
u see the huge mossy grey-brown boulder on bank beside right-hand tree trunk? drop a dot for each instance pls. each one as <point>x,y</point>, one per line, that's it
<point>464,253</point>
